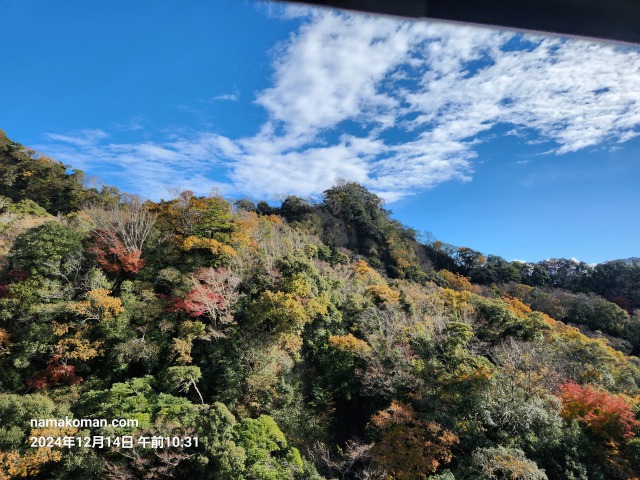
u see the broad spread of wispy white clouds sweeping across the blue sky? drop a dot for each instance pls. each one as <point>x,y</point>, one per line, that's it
<point>398,106</point>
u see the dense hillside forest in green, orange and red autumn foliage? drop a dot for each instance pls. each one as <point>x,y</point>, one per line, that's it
<point>317,339</point>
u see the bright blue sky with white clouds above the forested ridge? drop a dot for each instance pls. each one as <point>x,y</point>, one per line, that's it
<point>521,146</point>
